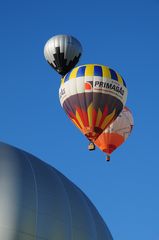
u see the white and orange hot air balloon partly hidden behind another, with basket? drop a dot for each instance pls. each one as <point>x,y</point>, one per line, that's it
<point>117,132</point>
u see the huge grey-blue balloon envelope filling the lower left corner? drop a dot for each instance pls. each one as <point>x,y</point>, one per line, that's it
<point>37,202</point>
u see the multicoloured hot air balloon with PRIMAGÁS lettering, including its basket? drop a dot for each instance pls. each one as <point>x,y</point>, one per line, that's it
<point>92,96</point>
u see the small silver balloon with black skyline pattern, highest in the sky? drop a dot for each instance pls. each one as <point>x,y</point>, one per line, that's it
<point>62,52</point>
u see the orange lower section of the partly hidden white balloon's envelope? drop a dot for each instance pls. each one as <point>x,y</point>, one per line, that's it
<point>108,142</point>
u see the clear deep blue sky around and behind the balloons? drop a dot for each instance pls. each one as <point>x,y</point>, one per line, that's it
<point>123,35</point>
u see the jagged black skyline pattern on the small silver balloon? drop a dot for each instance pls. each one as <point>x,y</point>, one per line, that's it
<point>60,62</point>
